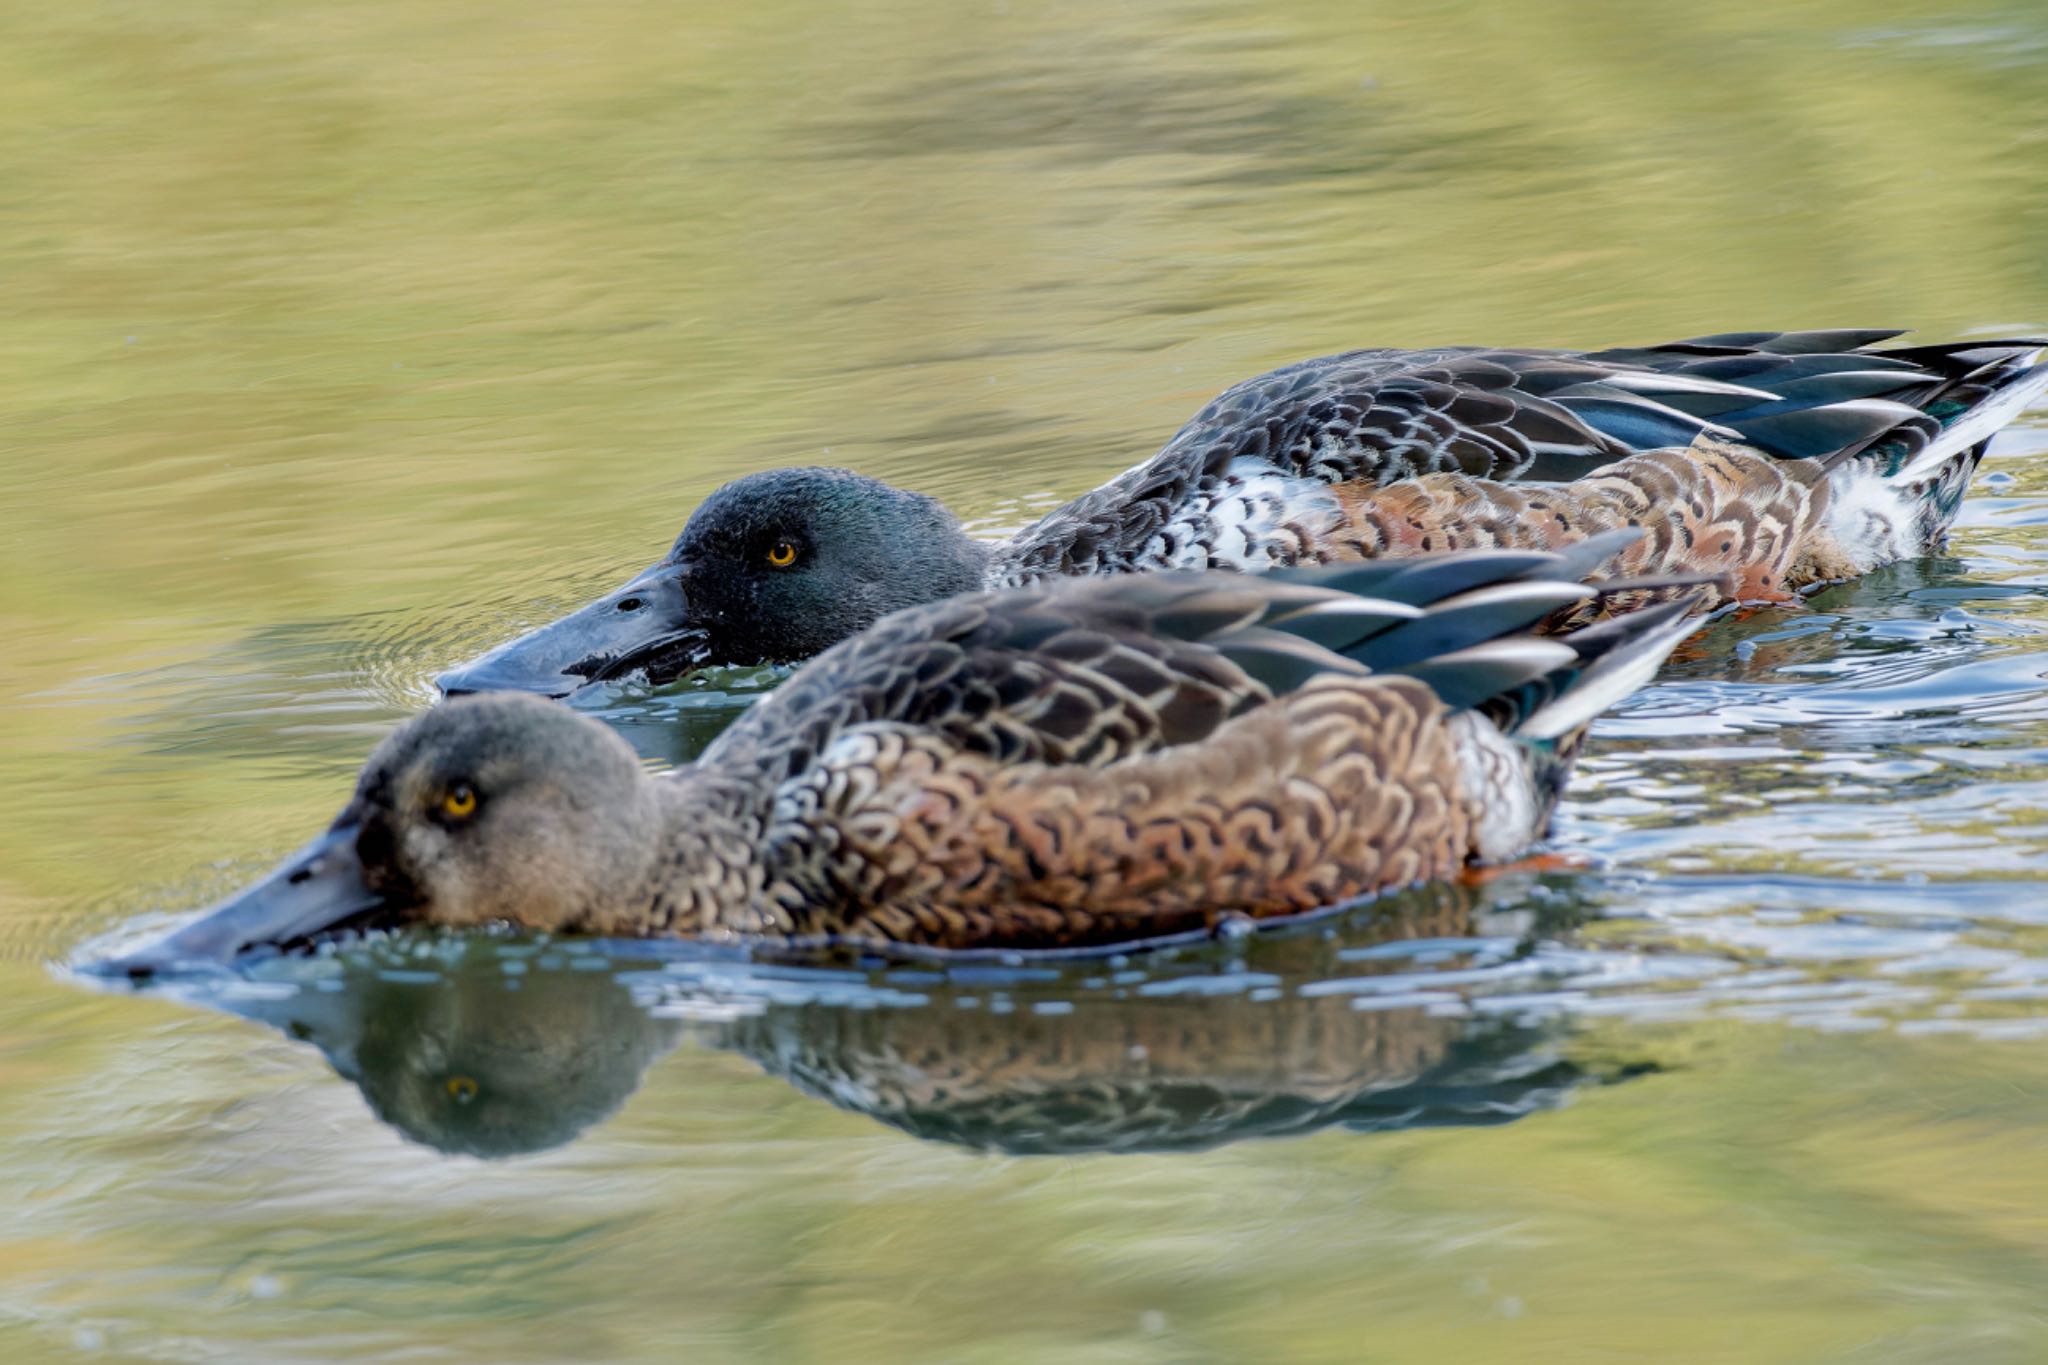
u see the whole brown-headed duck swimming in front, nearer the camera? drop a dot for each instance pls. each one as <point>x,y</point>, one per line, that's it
<point>1076,764</point>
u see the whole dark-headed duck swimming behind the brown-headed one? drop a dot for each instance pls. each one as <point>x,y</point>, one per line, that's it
<point>1777,461</point>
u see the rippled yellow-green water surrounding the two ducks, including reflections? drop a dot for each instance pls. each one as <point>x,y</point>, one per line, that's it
<point>347,341</point>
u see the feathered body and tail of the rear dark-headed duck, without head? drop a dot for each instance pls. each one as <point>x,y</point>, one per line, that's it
<point>1287,468</point>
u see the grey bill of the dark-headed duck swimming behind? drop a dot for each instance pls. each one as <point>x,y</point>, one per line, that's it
<point>642,629</point>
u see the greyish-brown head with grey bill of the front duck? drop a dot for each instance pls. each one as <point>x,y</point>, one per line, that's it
<point>480,811</point>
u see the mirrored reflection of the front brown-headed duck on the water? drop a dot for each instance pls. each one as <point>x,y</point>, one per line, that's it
<point>507,1047</point>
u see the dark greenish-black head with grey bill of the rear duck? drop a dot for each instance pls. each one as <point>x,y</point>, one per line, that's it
<point>771,570</point>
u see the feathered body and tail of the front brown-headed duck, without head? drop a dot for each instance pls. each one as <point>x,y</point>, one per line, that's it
<point>1117,758</point>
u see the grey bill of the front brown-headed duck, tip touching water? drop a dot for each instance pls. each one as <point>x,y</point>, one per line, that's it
<point>312,895</point>
